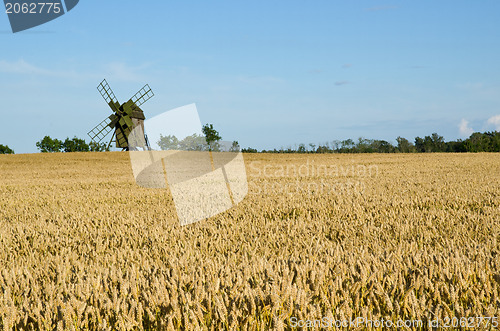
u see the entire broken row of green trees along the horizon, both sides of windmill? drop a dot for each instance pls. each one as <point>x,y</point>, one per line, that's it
<point>477,142</point>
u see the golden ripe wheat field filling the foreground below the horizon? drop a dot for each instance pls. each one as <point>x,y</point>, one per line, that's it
<point>413,236</point>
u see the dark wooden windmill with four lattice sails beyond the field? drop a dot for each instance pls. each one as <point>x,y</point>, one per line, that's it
<point>125,118</point>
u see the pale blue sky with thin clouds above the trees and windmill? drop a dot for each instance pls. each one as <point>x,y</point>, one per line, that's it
<point>266,73</point>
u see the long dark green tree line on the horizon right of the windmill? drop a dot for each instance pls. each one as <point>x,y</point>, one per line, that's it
<point>477,142</point>
